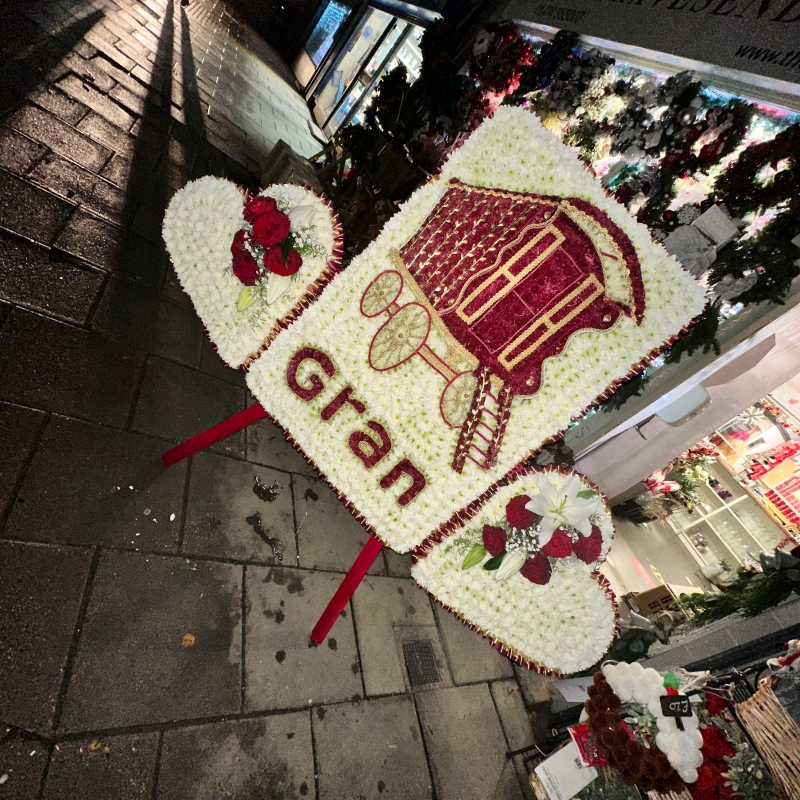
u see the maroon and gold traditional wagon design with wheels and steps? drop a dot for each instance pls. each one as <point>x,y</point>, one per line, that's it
<point>507,278</point>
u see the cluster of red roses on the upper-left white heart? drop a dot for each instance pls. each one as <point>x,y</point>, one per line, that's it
<point>270,235</point>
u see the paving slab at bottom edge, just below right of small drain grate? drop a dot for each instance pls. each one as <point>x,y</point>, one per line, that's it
<point>466,746</point>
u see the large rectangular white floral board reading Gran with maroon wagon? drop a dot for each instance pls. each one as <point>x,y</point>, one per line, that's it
<point>505,298</point>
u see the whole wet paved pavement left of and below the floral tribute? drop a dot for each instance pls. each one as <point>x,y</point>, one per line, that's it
<point>151,646</point>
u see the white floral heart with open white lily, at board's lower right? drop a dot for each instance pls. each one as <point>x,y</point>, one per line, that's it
<point>523,571</point>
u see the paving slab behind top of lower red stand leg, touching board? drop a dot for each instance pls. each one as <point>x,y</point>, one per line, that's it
<point>329,536</point>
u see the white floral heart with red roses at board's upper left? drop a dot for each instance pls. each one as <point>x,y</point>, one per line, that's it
<point>250,264</point>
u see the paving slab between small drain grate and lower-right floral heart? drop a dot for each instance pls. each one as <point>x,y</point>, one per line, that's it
<point>471,657</point>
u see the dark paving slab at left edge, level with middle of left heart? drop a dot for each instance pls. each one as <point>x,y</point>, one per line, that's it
<point>30,276</point>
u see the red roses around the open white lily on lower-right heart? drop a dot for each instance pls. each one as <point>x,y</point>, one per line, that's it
<point>537,569</point>
